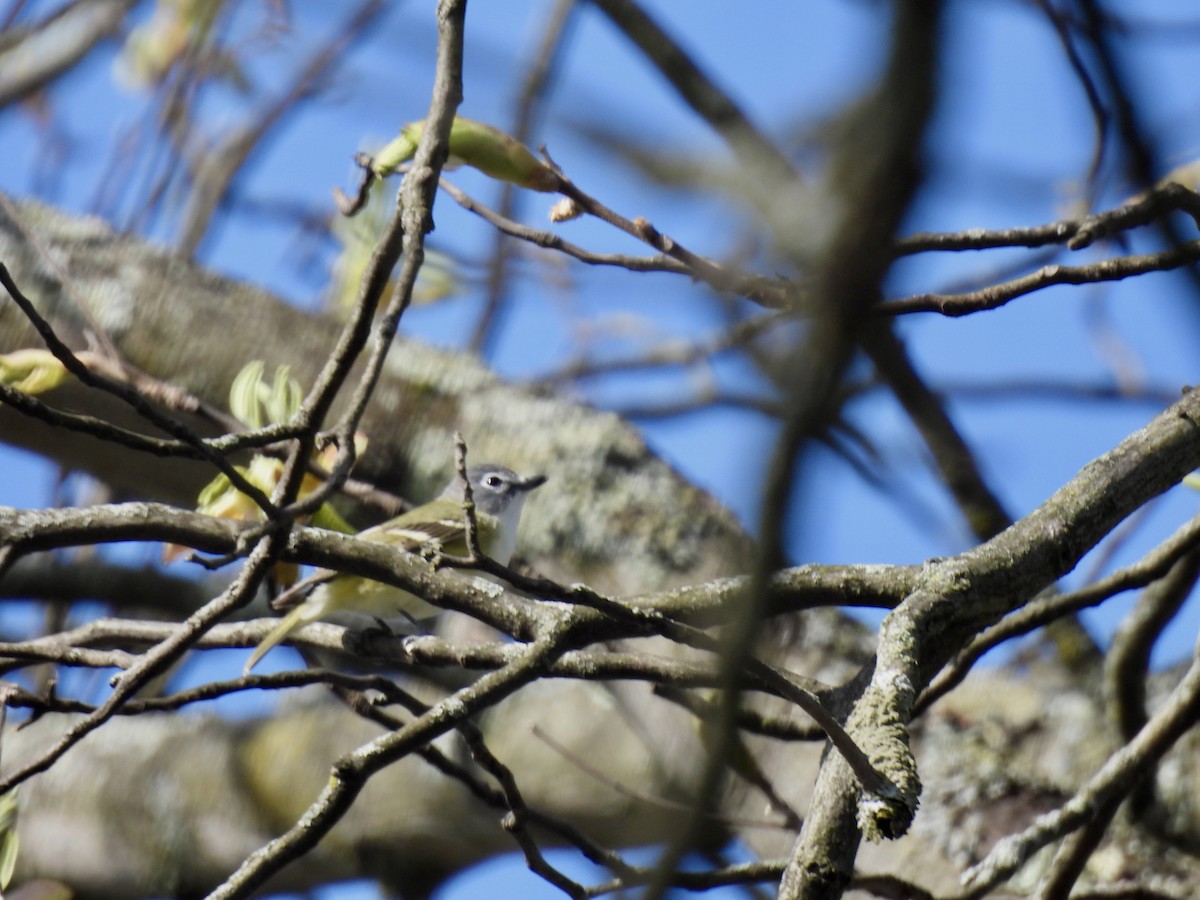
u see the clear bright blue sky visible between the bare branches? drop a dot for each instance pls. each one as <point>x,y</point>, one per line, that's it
<point>1012,139</point>
